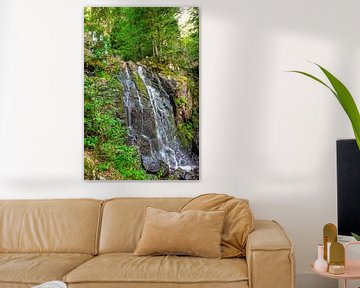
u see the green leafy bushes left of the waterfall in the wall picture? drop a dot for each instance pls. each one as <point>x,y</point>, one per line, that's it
<point>104,134</point>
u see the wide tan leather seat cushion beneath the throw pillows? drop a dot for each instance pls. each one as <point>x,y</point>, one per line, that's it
<point>125,267</point>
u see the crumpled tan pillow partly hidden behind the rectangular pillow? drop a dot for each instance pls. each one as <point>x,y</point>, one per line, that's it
<point>239,220</point>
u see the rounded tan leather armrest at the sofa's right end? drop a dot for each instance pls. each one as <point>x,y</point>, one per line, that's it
<point>269,256</point>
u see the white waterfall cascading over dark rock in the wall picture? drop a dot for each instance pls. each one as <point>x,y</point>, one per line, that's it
<point>151,122</point>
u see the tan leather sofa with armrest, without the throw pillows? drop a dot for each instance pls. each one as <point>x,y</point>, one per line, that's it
<point>89,243</point>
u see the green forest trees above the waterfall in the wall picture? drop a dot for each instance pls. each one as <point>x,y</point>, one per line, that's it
<point>169,34</point>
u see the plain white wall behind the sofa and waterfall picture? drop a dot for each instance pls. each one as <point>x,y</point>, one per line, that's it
<point>266,135</point>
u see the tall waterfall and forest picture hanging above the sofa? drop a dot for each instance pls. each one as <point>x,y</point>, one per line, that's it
<point>141,93</point>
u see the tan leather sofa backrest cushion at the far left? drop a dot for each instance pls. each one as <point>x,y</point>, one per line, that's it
<point>66,226</point>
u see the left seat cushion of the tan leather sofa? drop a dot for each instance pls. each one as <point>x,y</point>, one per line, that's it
<point>36,268</point>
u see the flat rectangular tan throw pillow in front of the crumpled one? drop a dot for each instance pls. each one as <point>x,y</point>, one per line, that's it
<point>196,233</point>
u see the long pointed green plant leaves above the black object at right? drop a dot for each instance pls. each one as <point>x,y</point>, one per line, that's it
<point>344,97</point>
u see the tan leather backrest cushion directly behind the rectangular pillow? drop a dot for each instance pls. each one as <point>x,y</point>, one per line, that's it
<point>123,221</point>
